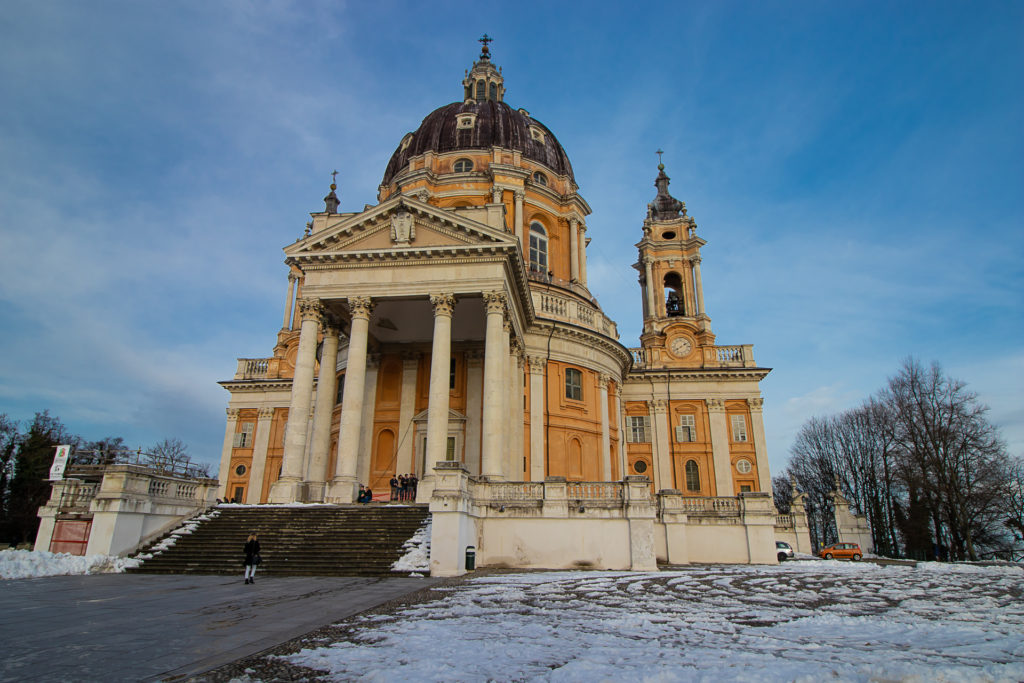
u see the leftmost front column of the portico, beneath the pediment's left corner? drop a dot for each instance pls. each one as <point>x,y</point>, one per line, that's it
<point>289,488</point>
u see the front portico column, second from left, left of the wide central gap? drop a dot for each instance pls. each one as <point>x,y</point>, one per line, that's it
<point>345,484</point>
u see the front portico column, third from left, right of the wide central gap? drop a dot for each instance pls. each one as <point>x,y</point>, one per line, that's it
<point>440,398</point>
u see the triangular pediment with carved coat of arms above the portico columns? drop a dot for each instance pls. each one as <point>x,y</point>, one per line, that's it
<point>403,228</point>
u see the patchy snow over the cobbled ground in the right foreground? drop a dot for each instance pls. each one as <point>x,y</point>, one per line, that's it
<point>797,622</point>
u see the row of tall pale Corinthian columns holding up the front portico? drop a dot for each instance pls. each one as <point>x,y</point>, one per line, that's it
<point>305,469</point>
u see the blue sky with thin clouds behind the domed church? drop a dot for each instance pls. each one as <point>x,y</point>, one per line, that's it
<point>855,167</point>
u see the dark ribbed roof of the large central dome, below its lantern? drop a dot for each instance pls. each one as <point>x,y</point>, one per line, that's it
<point>495,125</point>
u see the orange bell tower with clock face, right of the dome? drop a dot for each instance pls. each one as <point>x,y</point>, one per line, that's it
<point>675,325</point>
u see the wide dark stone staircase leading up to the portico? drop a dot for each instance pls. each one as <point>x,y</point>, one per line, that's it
<point>308,541</point>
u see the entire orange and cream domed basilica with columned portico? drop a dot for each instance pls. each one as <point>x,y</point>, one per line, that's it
<point>449,331</point>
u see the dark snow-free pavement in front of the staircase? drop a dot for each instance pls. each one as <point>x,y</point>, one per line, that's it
<point>157,628</point>
